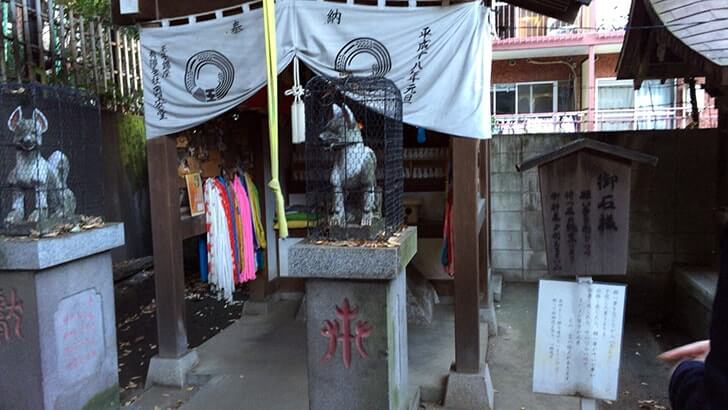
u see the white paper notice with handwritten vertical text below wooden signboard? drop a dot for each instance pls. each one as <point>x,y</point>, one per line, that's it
<point>578,339</point>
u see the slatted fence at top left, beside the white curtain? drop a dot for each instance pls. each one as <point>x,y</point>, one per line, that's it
<point>45,42</point>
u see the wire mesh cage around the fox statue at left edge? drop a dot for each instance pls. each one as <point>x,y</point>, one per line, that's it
<point>50,158</point>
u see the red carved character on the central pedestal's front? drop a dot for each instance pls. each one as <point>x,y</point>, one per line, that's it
<point>336,333</point>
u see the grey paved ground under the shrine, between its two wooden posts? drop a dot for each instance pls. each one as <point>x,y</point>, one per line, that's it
<point>260,363</point>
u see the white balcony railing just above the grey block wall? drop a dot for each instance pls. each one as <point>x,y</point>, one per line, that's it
<point>603,120</point>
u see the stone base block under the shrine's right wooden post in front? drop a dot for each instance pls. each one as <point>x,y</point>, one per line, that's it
<point>470,391</point>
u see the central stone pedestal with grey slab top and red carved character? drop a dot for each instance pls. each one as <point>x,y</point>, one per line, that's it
<point>356,321</point>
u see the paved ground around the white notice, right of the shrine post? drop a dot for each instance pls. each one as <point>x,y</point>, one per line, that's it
<point>642,377</point>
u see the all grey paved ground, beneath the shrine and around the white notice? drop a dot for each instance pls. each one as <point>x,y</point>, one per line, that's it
<point>260,362</point>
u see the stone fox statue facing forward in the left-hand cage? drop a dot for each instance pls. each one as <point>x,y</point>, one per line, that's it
<point>48,178</point>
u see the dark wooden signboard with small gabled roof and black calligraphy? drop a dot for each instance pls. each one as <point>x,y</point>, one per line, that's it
<point>585,193</point>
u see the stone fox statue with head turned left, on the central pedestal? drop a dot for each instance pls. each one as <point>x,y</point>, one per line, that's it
<point>354,165</point>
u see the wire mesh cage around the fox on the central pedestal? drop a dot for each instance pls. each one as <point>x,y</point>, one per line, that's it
<point>354,170</point>
